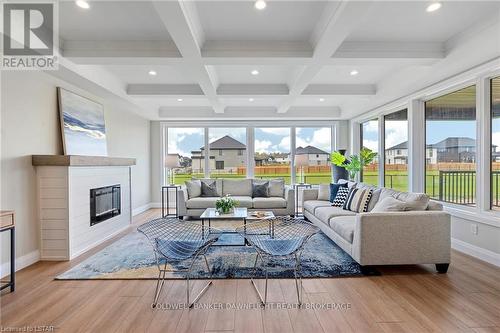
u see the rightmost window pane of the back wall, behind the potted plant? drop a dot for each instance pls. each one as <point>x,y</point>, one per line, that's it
<point>316,142</point>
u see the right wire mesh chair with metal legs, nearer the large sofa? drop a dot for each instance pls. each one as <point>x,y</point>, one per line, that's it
<point>279,237</point>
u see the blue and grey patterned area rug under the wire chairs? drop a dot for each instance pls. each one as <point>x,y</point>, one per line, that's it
<point>132,257</point>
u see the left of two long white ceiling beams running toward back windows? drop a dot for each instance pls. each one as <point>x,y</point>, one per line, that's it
<point>183,25</point>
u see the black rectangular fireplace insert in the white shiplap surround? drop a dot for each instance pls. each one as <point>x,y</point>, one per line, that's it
<point>105,203</point>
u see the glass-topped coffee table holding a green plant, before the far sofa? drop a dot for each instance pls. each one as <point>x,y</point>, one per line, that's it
<point>239,213</point>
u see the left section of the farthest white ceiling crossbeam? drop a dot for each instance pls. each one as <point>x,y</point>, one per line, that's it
<point>165,89</point>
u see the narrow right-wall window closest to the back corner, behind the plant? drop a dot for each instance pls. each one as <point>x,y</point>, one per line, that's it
<point>369,140</point>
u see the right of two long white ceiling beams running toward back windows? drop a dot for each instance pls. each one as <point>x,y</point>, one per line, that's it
<point>340,20</point>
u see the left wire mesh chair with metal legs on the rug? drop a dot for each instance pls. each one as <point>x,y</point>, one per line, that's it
<point>174,241</point>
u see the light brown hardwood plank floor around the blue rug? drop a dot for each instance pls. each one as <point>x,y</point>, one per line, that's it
<point>403,299</point>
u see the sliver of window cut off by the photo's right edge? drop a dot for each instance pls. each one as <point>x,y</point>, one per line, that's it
<point>495,143</point>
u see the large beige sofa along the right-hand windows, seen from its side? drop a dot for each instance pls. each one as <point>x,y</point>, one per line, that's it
<point>385,238</point>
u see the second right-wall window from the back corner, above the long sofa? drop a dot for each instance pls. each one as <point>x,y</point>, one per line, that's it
<point>396,150</point>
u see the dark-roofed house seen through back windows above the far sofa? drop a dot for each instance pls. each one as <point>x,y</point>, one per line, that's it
<point>225,154</point>
